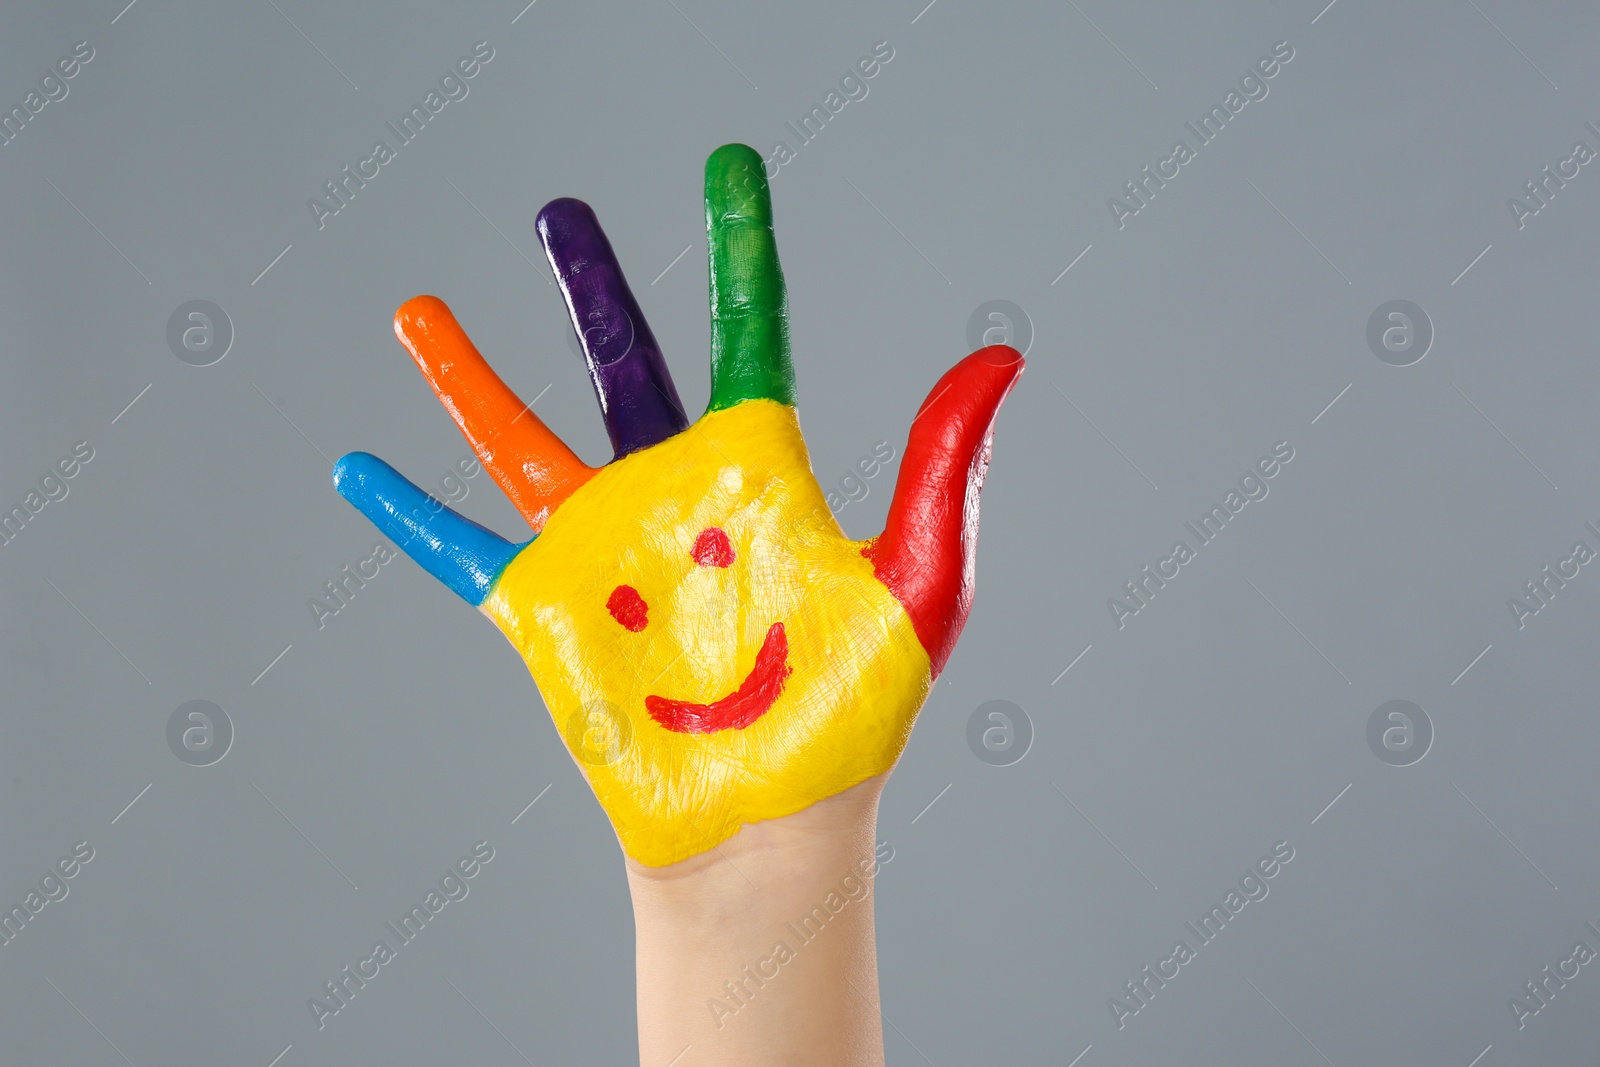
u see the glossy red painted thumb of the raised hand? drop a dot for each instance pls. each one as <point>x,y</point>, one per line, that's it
<point>927,554</point>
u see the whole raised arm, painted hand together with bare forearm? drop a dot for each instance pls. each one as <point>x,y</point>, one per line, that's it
<point>734,676</point>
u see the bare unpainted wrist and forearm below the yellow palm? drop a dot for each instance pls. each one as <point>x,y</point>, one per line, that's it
<point>762,951</point>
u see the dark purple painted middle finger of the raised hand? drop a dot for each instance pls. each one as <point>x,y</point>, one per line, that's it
<point>638,399</point>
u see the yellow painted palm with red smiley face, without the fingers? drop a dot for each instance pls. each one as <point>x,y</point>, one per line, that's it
<point>857,673</point>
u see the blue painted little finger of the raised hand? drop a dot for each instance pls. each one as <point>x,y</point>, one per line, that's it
<point>449,546</point>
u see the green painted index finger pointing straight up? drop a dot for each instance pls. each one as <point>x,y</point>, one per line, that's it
<point>750,306</point>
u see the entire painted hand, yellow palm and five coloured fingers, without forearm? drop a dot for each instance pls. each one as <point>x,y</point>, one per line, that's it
<point>710,644</point>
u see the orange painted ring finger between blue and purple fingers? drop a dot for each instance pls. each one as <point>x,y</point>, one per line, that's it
<point>530,463</point>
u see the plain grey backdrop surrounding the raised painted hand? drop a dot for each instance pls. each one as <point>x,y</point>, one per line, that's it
<point>1223,319</point>
